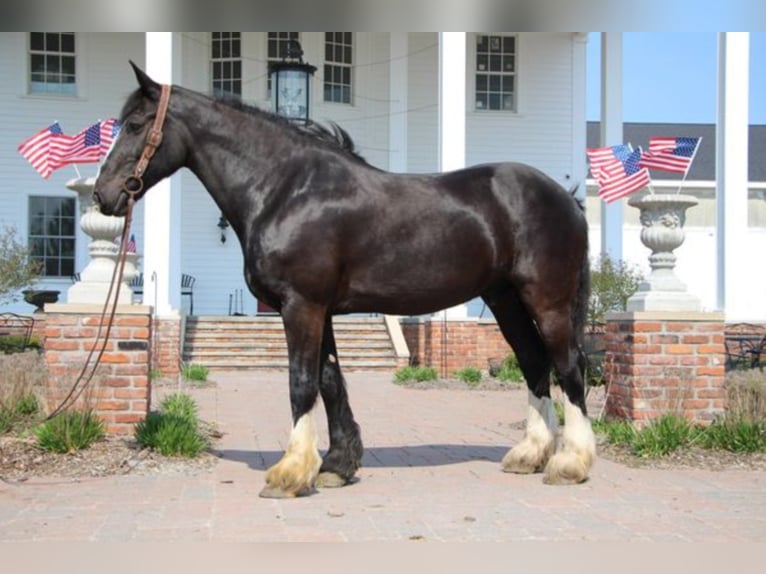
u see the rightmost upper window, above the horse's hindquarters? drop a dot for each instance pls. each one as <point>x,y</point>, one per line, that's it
<point>496,73</point>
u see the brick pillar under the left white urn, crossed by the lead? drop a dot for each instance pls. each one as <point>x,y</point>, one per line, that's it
<point>120,390</point>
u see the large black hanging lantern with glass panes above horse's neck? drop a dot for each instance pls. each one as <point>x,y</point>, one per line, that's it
<point>291,84</point>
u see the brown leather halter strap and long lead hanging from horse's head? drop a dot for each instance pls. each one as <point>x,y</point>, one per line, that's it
<point>132,185</point>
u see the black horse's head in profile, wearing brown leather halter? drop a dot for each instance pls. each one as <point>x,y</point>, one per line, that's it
<point>125,171</point>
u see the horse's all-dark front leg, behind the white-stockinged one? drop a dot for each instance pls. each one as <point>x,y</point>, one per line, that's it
<point>344,456</point>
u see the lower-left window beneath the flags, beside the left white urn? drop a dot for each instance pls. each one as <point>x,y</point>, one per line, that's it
<point>52,234</point>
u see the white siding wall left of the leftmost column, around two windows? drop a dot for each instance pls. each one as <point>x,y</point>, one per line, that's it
<point>104,80</point>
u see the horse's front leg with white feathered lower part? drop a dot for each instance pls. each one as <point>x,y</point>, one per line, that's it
<point>297,470</point>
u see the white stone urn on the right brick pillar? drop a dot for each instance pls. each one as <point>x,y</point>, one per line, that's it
<point>663,217</point>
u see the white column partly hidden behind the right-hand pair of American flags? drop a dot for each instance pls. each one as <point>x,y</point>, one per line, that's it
<point>611,134</point>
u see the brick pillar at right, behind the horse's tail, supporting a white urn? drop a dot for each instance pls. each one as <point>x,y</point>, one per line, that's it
<point>665,363</point>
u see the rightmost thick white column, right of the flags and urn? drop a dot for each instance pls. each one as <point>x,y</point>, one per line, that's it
<point>732,174</point>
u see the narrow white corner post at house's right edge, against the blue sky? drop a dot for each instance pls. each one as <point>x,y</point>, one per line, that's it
<point>579,113</point>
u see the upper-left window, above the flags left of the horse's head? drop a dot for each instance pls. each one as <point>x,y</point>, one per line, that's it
<point>52,63</point>
